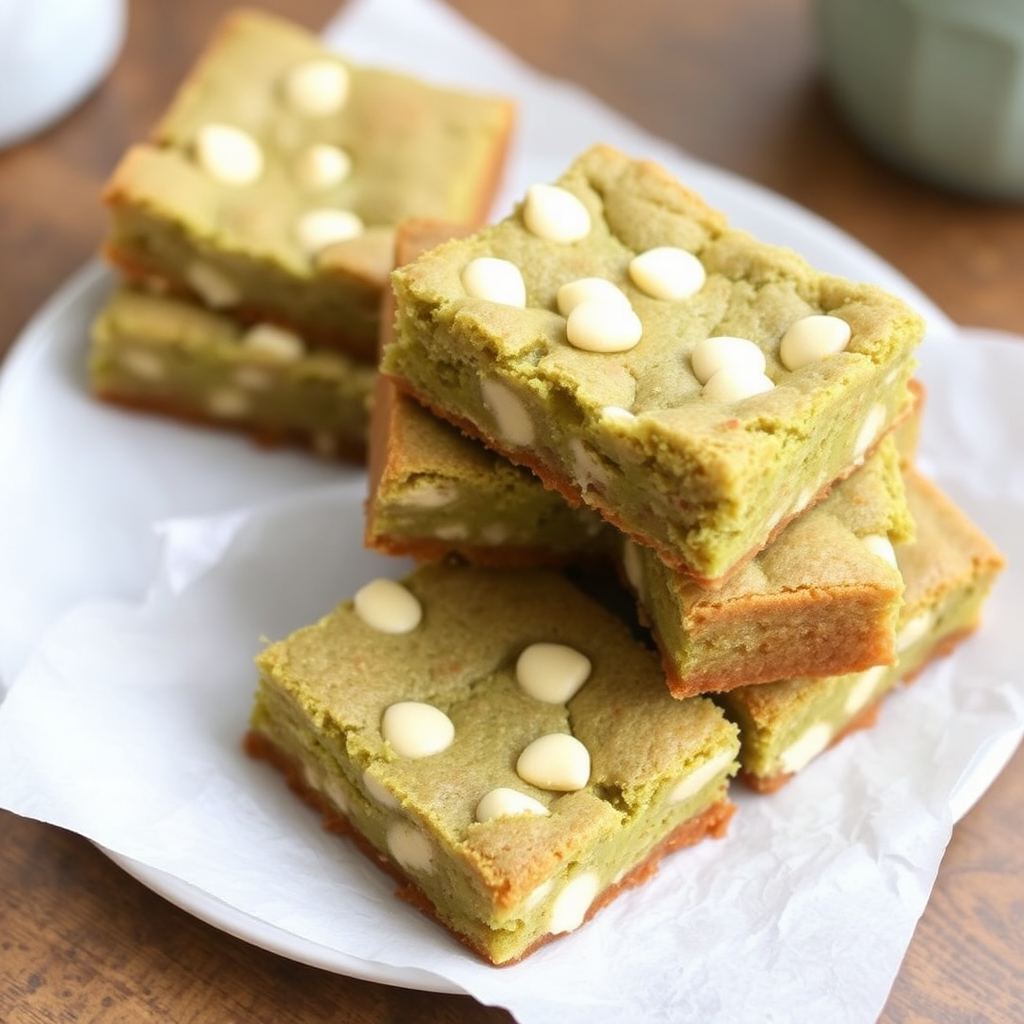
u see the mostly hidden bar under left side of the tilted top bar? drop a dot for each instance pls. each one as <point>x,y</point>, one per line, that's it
<point>436,493</point>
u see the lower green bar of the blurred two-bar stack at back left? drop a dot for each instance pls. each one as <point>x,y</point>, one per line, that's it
<point>175,358</point>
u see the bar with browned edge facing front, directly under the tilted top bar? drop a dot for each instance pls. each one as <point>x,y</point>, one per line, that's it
<point>823,600</point>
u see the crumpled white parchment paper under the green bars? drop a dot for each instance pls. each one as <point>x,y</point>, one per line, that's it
<point>125,724</point>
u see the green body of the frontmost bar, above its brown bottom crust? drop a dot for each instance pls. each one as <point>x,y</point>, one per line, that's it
<point>325,691</point>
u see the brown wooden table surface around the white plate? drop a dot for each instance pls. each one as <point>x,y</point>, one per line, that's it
<point>735,82</point>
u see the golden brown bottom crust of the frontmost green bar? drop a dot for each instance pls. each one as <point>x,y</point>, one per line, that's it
<point>711,824</point>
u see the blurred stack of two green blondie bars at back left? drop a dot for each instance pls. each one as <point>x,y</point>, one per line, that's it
<point>254,233</point>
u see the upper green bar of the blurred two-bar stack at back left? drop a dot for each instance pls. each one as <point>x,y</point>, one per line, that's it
<point>412,148</point>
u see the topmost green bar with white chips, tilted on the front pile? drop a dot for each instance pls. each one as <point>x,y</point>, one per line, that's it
<point>705,479</point>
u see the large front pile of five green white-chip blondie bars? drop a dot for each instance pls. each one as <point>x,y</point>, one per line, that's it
<point>614,377</point>
